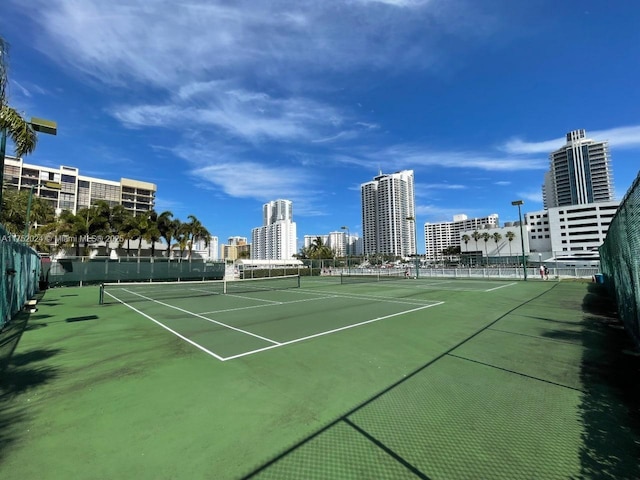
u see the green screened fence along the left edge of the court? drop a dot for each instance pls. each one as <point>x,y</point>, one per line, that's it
<point>19,275</point>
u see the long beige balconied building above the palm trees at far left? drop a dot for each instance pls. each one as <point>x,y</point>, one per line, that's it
<point>77,191</point>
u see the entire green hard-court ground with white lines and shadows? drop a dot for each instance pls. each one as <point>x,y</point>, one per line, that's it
<point>410,378</point>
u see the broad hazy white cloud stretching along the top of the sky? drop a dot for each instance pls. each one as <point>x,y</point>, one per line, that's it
<point>123,40</point>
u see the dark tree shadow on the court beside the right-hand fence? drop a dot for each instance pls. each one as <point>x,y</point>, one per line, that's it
<point>610,407</point>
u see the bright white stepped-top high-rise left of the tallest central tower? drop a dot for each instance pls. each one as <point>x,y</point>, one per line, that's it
<point>276,238</point>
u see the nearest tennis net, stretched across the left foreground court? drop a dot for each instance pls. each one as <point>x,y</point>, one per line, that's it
<point>128,292</point>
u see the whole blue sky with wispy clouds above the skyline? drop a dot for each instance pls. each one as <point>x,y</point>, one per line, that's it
<point>228,105</point>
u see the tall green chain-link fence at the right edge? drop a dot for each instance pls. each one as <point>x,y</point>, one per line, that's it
<point>620,260</point>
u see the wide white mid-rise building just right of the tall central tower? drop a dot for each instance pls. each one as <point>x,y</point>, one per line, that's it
<point>439,236</point>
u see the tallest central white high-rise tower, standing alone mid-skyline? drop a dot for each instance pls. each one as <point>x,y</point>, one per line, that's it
<point>388,214</point>
